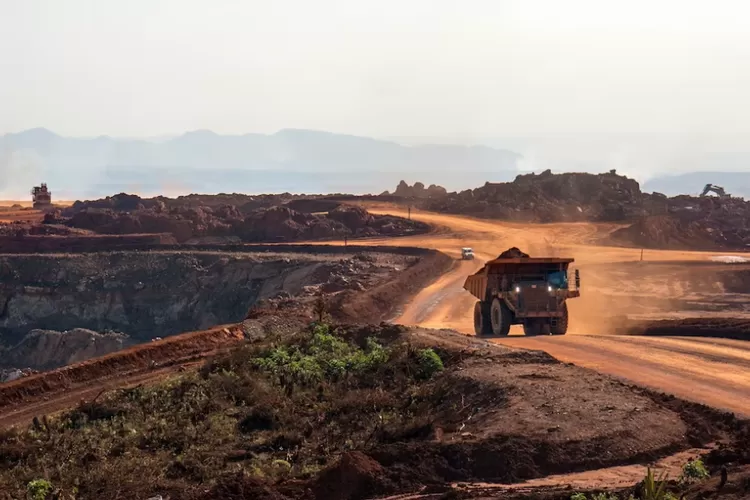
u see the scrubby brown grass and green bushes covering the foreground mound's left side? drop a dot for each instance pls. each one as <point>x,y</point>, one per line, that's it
<point>280,410</point>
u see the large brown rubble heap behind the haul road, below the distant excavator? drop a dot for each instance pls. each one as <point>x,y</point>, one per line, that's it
<point>680,222</point>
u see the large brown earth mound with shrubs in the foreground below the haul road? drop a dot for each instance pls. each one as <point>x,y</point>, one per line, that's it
<point>485,413</point>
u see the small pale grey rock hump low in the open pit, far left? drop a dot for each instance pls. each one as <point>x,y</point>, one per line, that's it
<point>46,349</point>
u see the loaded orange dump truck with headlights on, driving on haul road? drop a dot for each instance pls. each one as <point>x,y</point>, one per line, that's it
<point>529,291</point>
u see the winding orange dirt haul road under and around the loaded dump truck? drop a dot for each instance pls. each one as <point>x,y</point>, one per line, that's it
<point>710,371</point>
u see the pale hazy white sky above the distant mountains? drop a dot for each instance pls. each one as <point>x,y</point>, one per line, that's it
<point>385,68</point>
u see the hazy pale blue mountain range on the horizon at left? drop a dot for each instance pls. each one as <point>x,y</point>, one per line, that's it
<point>202,161</point>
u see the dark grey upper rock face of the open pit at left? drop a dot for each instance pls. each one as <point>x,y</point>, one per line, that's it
<point>141,294</point>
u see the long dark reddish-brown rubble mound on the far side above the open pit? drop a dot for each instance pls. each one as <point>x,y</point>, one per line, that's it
<point>255,221</point>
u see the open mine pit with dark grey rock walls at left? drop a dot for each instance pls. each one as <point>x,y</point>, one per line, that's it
<point>58,309</point>
